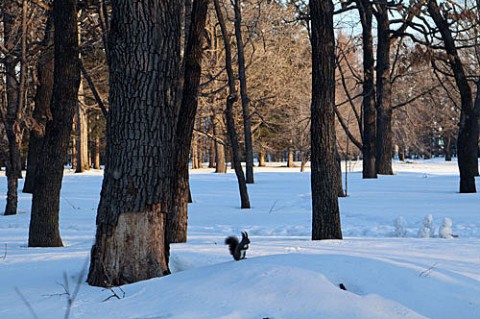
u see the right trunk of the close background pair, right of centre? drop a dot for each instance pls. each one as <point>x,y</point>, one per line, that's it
<point>384,143</point>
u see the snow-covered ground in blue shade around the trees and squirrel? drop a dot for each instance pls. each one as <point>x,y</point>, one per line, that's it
<point>286,275</point>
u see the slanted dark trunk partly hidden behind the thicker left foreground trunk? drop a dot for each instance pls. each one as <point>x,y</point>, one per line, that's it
<point>41,113</point>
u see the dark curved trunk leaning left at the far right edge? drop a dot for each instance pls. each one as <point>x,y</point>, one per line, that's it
<point>467,142</point>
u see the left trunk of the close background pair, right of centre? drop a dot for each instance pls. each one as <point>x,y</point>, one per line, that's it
<point>368,107</point>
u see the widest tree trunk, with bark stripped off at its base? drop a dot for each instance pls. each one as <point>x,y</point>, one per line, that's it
<point>131,241</point>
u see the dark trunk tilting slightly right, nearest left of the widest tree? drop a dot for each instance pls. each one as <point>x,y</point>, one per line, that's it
<point>44,226</point>
